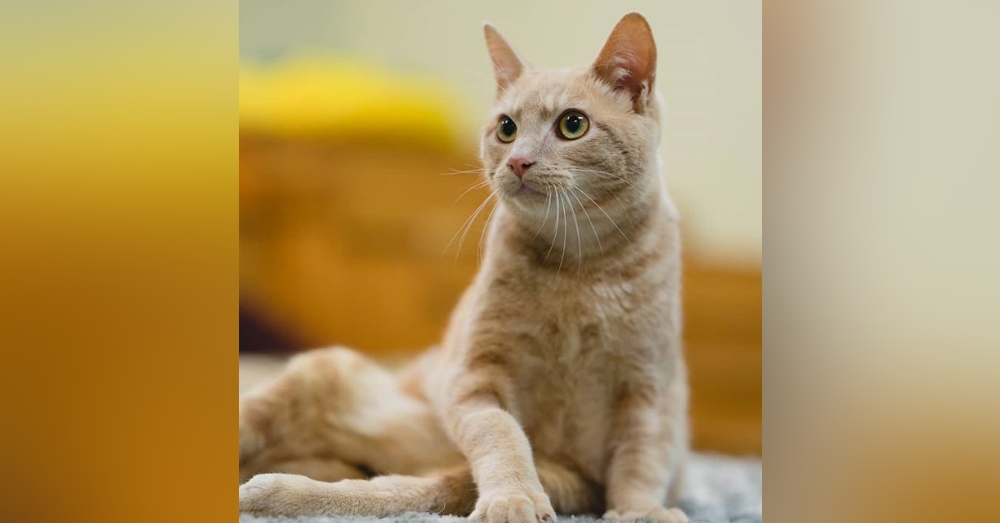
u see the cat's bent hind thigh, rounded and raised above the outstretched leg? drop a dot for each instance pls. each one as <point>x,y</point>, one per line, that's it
<point>334,413</point>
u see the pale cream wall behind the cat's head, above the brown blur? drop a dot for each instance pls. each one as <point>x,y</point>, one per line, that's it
<point>709,71</point>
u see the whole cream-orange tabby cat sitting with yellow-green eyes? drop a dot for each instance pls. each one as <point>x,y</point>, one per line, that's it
<point>560,384</point>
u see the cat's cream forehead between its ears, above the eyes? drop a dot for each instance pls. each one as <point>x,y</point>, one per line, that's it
<point>546,91</point>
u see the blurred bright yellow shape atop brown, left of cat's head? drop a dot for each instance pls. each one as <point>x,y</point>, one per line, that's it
<point>311,95</point>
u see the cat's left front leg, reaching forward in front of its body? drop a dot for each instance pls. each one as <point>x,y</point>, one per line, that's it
<point>497,449</point>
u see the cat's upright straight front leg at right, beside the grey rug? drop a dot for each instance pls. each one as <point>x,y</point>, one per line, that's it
<point>649,436</point>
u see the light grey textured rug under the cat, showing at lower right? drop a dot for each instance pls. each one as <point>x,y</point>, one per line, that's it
<point>717,489</point>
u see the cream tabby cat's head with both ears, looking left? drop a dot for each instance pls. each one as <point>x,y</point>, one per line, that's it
<point>582,135</point>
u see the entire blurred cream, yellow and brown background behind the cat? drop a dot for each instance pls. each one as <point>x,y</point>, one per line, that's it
<point>356,119</point>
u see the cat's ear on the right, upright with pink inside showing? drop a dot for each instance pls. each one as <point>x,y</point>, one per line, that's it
<point>628,60</point>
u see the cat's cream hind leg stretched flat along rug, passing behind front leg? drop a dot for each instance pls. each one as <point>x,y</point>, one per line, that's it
<point>449,493</point>
